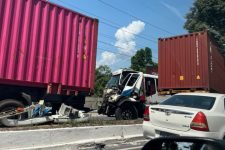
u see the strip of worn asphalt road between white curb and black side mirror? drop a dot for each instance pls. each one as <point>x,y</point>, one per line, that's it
<point>128,144</point>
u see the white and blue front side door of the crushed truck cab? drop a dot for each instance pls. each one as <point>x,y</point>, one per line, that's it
<point>133,84</point>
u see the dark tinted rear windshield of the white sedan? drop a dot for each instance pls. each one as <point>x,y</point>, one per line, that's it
<point>201,102</point>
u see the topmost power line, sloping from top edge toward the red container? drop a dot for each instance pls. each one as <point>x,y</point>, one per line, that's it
<point>124,12</point>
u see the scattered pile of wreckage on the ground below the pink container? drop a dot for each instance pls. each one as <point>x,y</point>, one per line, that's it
<point>39,114</point>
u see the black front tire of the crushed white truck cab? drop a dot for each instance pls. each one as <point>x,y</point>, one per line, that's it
<point>126,112</point>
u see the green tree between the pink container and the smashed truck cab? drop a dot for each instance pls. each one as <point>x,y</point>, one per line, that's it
<point>102,76</point>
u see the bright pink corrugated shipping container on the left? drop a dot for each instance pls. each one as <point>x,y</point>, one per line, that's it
<point>42,43</point>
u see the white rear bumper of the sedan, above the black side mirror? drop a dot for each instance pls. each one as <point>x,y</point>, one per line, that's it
<point>152,131</point>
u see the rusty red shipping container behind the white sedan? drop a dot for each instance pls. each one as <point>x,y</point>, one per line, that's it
<point>191,61</point>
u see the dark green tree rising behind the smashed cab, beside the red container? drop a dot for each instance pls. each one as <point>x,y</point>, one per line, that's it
<point>141,59</point>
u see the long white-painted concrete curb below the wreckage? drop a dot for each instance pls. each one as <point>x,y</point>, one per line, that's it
<point>65,138</point>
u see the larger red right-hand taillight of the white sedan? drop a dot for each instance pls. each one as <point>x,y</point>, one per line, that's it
<point>200,122</point>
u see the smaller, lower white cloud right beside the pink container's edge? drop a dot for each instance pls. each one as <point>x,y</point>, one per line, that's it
<point>107,58</point>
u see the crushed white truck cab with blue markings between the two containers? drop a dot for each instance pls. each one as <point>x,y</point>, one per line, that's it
<point>127,93</point>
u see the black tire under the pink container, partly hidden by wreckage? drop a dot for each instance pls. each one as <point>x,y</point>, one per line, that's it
<point>10,104</point>
